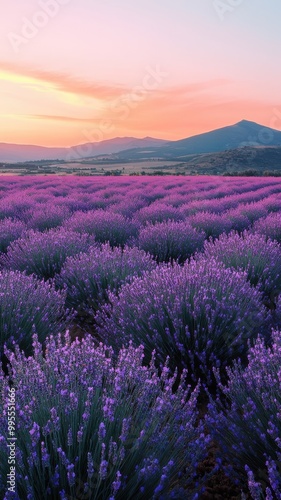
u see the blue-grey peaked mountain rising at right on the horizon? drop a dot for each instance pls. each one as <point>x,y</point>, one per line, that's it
<point>243,133</point>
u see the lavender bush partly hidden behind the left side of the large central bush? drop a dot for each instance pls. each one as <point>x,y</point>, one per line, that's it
<point>88,277</point>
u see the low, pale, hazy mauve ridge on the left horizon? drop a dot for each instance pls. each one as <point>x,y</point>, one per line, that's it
<point>22,152</point>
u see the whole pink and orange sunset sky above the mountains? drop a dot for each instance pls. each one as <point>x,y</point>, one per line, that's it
<point>76,71</point>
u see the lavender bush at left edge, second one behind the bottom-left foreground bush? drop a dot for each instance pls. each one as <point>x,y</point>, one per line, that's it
<point>44,253</point>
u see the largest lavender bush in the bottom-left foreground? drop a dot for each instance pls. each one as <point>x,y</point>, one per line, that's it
<point>91,428</point>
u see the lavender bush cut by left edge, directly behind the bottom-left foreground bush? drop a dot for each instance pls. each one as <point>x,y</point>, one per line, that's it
<point>28,305</point>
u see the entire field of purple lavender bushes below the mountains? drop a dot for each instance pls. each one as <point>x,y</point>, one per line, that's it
<point>140,337</point>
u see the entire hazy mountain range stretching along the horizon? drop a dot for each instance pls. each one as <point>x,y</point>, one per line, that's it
<point>241,134</point>
